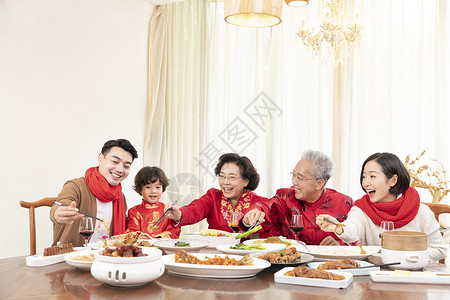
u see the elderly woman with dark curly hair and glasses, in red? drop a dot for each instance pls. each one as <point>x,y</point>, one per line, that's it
<point>237,179</point>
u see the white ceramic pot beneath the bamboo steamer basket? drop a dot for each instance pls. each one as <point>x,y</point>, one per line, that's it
<point>409,260</point>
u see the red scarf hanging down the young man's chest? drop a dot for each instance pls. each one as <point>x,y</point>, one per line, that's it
<point>107,193</point>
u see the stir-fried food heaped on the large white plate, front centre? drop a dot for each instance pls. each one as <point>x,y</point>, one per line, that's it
<point>182,256</point>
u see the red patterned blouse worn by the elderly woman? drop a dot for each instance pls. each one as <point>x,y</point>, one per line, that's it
<point>216,209</point>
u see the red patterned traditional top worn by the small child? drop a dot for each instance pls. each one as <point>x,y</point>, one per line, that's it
<point>142,217</point>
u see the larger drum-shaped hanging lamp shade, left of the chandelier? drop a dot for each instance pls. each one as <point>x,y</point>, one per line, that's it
<point>253,13</point>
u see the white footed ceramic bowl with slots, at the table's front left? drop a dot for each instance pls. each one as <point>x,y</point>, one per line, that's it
<point>128,271</point>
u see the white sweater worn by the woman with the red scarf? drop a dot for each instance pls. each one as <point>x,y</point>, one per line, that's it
<point>359,227</point>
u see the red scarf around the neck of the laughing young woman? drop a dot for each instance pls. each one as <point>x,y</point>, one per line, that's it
<point>401,211</point>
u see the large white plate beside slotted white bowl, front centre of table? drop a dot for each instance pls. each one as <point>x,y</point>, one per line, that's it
<point>214,271</point>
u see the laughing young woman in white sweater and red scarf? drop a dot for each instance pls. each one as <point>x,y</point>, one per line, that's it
<point>388,198</point>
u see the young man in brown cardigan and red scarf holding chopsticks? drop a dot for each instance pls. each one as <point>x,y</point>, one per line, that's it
<point>99,194</point>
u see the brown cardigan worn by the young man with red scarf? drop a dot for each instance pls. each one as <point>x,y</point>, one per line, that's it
<point>78,191</point>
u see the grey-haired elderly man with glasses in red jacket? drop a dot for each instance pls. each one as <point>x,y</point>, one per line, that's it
<point>307,197</point>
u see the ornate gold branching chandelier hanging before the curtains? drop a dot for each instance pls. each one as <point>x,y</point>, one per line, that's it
<point>331,40</point>
